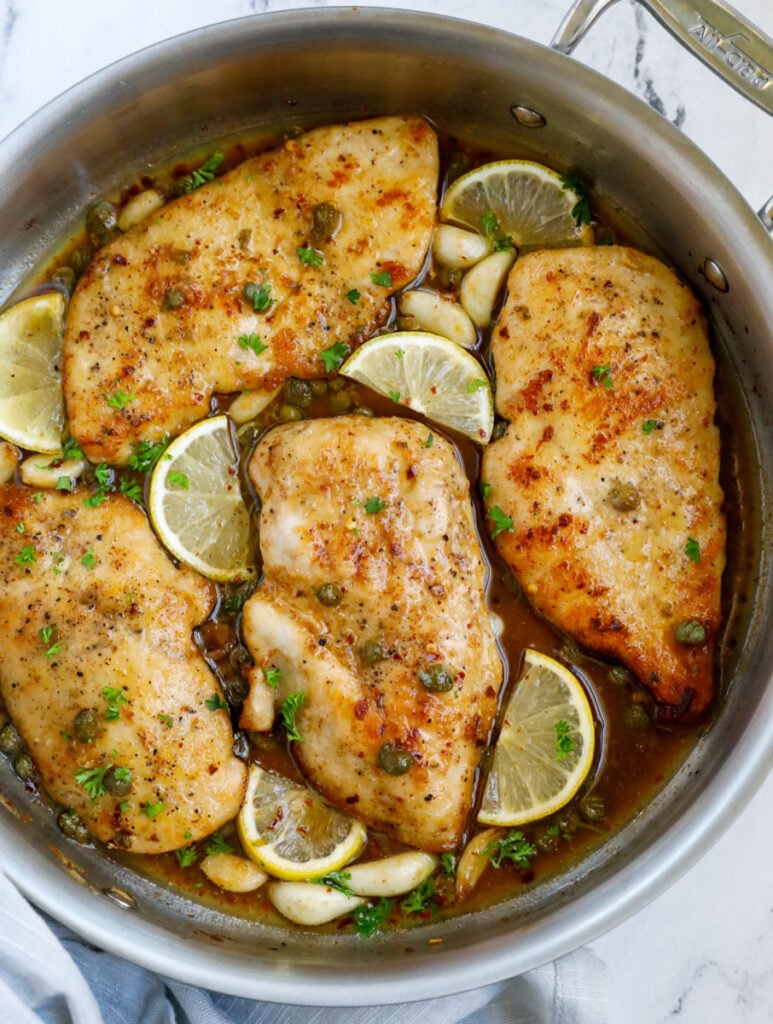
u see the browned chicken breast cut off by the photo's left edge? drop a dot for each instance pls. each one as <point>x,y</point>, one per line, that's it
<point>99,621</point>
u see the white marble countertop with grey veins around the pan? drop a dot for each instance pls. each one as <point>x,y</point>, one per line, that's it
<point>704,951</point>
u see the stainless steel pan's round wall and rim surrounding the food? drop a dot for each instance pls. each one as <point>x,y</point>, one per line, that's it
<point>315,67</point>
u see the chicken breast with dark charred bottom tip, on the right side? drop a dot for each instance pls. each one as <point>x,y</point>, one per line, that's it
<point>605,494</point>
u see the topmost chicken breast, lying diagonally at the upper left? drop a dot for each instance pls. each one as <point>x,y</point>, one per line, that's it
<point>326,228</point>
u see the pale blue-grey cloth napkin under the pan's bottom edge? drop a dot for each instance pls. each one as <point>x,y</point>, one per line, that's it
<point>45,967</point>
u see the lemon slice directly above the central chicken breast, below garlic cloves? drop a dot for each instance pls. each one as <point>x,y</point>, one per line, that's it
<point>430,375</point>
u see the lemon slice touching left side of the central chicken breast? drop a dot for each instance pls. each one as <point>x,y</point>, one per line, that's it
<point>196,505</point>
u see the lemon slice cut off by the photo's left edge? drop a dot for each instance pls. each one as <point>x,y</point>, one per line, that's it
<point>32,407</point>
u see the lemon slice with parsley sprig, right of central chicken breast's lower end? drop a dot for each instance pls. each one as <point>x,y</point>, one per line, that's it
<point>546,747</point>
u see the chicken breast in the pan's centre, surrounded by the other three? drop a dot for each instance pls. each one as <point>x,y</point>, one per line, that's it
<point>374,607</point>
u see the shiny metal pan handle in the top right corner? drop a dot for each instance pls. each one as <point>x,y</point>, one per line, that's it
<point>729,45</point>
